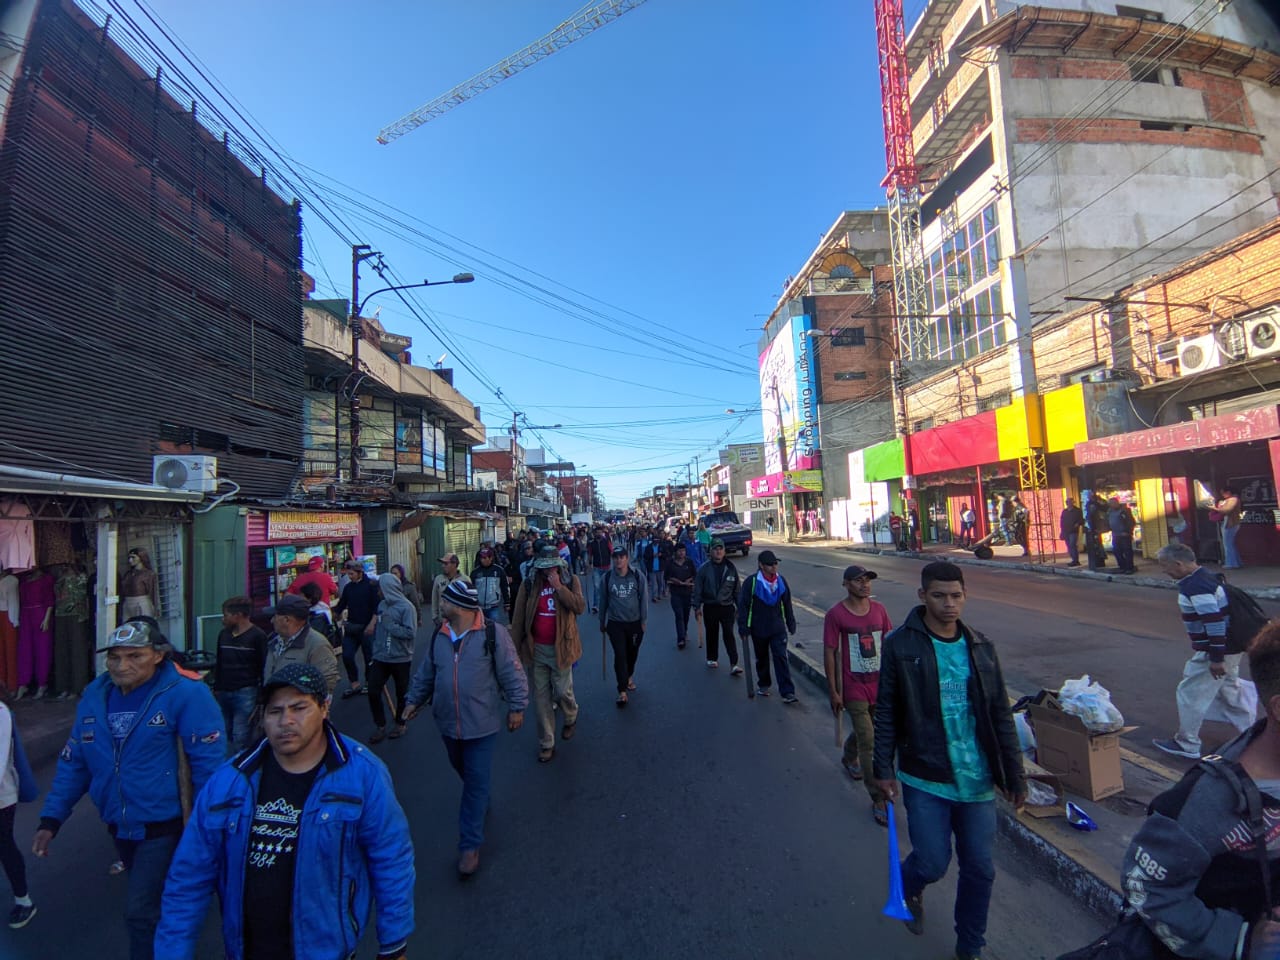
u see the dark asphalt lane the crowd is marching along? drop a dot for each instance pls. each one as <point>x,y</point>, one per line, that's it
<point>692,825</point>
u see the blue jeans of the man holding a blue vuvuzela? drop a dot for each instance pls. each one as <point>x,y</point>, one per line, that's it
<point>931,822</point>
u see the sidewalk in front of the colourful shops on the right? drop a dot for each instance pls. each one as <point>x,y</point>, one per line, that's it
<point>1263,583</point>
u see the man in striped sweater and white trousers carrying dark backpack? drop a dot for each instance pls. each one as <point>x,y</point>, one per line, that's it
<point>1214,671</point>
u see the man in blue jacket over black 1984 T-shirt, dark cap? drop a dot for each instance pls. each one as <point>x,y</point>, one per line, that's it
<point>300,835</point>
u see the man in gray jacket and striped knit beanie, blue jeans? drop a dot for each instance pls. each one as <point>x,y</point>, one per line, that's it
<point>470,666</point>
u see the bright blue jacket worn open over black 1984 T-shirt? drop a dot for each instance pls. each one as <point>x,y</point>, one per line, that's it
<point>354,849</point>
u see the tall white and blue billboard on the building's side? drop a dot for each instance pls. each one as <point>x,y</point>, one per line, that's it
<point>789,399</point>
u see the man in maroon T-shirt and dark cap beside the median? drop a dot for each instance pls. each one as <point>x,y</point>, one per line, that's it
<point>852,634</point>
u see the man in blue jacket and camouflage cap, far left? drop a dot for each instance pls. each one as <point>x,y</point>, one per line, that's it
<point>135,728</point>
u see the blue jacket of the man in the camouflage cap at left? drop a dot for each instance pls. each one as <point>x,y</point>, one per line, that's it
<point>136,783</point>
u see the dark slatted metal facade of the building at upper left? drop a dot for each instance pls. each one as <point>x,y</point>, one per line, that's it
<point>149,281</point>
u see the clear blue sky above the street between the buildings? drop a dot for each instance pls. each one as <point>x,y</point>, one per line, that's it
<point>659,181</point>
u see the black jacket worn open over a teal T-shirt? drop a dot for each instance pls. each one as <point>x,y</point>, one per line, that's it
<point>909,708</point>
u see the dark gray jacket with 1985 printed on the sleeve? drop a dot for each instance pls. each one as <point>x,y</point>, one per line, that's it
<point>1192,871</point>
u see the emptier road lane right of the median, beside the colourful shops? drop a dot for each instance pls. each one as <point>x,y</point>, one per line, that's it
<point>1046,628</point>
